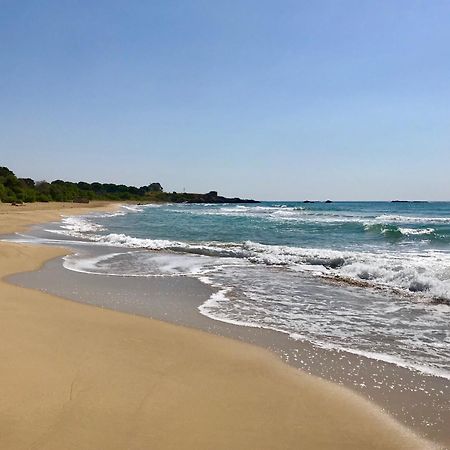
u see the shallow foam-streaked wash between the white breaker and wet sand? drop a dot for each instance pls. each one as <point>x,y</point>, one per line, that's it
<point>401,332</point>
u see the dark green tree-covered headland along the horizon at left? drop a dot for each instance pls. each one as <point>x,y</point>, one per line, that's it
<point>25,190</point>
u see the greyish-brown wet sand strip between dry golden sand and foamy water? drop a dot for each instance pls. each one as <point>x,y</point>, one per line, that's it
<point>419,401</point>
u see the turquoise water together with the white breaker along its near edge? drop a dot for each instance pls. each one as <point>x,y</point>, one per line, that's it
<point>357,241</point>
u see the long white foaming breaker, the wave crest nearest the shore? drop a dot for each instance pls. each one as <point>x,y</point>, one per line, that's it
<point>425,273</point>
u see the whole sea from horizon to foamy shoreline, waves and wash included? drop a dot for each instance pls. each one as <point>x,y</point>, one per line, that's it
<point>369,278</point>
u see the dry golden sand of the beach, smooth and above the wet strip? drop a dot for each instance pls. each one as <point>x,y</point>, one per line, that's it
<point>78,377</point>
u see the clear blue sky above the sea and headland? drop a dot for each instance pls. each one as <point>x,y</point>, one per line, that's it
<point>268,99</point>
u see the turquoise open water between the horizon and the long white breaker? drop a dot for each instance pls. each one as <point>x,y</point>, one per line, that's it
<point>318,225</point>
